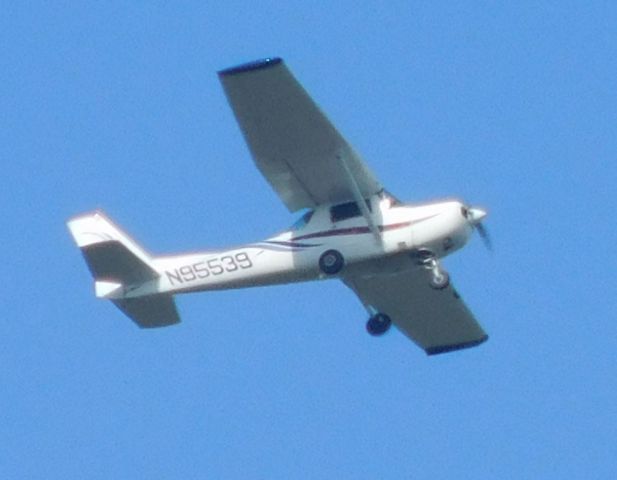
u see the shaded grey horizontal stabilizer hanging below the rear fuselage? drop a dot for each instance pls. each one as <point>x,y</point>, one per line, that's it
<point>151,311</point>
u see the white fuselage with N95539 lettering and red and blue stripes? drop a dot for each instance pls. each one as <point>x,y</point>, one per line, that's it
<point>293,255</point>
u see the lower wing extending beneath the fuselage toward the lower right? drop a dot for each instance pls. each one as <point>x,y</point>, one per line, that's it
<point>436,320</point>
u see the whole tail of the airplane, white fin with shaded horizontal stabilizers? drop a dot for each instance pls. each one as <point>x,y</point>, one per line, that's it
<point>118,264</point>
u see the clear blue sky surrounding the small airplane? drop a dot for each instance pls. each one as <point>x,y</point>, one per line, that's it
<point>104,105</point>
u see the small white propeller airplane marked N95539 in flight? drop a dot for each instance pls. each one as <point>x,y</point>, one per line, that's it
<point>387,252</point>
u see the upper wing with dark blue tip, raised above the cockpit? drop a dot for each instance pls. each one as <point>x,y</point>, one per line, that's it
<point>297,149</point>
